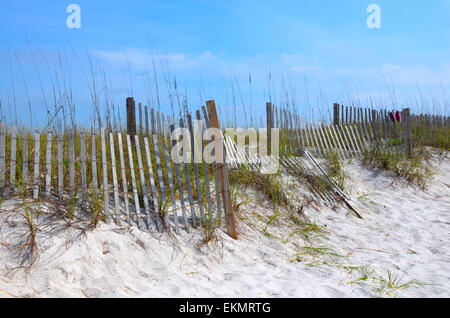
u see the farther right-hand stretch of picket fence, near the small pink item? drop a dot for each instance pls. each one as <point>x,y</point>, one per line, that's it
<point>354,130</point>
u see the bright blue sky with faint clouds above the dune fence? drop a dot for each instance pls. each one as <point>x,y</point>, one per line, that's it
<point>323,47</point>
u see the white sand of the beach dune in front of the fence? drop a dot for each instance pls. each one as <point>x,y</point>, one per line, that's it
<point>405,231</point>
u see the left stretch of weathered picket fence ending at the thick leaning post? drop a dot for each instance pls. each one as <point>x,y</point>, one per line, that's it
<point>133,176</point>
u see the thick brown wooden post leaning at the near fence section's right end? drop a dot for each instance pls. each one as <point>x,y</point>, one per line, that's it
<point>222,172</point>
